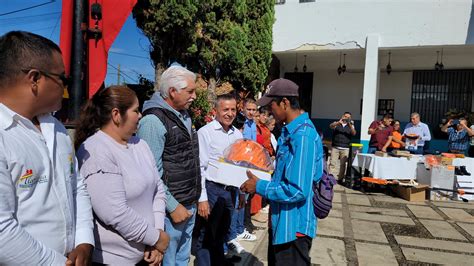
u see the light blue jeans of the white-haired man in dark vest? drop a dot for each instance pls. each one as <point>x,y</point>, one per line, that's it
<point>179,248</point>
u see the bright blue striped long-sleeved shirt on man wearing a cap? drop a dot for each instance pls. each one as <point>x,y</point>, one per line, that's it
<point>299,162</point>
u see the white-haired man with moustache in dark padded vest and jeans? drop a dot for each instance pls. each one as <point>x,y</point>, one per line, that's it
<point>167,128</point>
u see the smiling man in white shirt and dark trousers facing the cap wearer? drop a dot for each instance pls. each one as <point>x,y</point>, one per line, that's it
<point>216,203</point>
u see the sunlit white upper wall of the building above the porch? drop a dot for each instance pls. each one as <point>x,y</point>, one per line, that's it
<point>400,23</point>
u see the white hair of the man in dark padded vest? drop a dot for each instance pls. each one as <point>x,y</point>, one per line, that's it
<point>174,77</point>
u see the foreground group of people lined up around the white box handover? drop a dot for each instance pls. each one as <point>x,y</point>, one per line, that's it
<point>139,189</point>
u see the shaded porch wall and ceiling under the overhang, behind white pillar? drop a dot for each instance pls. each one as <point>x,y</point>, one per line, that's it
<point>334,94</point>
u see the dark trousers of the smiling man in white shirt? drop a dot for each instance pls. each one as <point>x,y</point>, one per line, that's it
<point>208,246</point>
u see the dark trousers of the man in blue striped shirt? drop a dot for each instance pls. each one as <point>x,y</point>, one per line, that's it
<point>294,253</point>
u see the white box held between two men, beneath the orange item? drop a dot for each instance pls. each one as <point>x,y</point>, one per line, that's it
<point>234,175</point>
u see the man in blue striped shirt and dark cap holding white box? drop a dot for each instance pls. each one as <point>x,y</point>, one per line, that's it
<point>299,163</point>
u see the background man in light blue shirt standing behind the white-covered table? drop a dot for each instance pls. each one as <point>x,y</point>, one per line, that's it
<point>419,129</point>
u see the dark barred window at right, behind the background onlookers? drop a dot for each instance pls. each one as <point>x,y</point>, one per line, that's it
<point>434,93</point>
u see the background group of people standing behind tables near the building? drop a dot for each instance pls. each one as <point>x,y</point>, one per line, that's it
<point>386,136</point>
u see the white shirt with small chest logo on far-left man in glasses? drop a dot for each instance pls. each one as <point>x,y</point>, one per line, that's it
<point>45,209</point>
